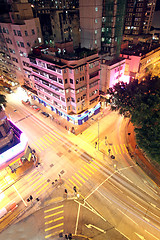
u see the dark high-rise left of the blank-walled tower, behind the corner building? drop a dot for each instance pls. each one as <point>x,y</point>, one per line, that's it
<point>59,20</point>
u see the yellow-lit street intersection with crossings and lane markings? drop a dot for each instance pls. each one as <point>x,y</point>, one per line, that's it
<point>116,199</point>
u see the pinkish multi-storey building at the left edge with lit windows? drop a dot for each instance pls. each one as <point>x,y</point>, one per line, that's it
<point>19,31</point>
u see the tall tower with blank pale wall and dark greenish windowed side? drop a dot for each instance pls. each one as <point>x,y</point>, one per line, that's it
<point>101,23</point>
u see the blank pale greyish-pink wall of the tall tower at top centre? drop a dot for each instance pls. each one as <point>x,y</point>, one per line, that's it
<point>90,23</point>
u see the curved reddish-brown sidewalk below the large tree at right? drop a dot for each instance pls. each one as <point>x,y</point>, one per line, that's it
<point>138,156</point>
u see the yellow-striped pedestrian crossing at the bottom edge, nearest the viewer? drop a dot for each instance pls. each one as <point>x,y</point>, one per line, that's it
<point>54,221</point>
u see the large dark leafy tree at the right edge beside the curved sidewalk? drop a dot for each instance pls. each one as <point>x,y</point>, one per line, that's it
<point>141,103</point>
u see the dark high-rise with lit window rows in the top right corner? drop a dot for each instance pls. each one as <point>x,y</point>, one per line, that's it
<point>139,14</point>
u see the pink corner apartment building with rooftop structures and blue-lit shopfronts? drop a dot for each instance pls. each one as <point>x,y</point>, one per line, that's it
<point>67,81</point>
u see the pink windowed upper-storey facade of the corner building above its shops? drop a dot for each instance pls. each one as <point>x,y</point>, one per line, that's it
<point>67,88</point>
